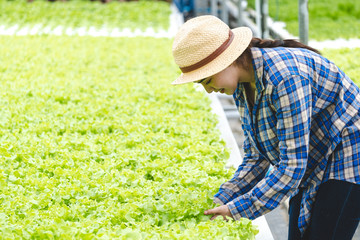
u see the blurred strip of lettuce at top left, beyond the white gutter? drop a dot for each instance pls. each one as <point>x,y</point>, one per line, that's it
<point>75,14</point>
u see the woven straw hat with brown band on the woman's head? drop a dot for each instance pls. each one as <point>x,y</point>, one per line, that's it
<point>205,45</point>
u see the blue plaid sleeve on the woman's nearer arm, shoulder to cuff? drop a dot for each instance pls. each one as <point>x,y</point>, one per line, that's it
<point>292,102</point>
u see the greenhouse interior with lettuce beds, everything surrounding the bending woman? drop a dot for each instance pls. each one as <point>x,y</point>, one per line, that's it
<point>96,143</point>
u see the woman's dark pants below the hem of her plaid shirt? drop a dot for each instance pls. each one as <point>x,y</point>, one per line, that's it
<point>334,216</point>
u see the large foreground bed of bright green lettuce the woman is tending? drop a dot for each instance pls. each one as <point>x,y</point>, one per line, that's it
<point>96,143</point>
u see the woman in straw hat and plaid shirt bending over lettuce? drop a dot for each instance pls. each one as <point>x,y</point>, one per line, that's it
<point>300,114</point>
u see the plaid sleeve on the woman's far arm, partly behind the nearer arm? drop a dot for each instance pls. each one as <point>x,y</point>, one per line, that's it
<point>250,171</point>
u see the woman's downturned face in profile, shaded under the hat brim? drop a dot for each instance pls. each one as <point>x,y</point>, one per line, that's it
<point>226,81</point>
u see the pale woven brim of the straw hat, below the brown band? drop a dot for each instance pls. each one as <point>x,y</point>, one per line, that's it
<point>242,38</point>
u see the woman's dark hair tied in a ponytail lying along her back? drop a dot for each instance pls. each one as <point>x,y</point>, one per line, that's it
<point>245,57</point>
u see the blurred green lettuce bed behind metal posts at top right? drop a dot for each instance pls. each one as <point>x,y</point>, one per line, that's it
<point>327,19</point>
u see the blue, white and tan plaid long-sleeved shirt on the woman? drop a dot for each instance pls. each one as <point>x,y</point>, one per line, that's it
<point>305,122</point>
